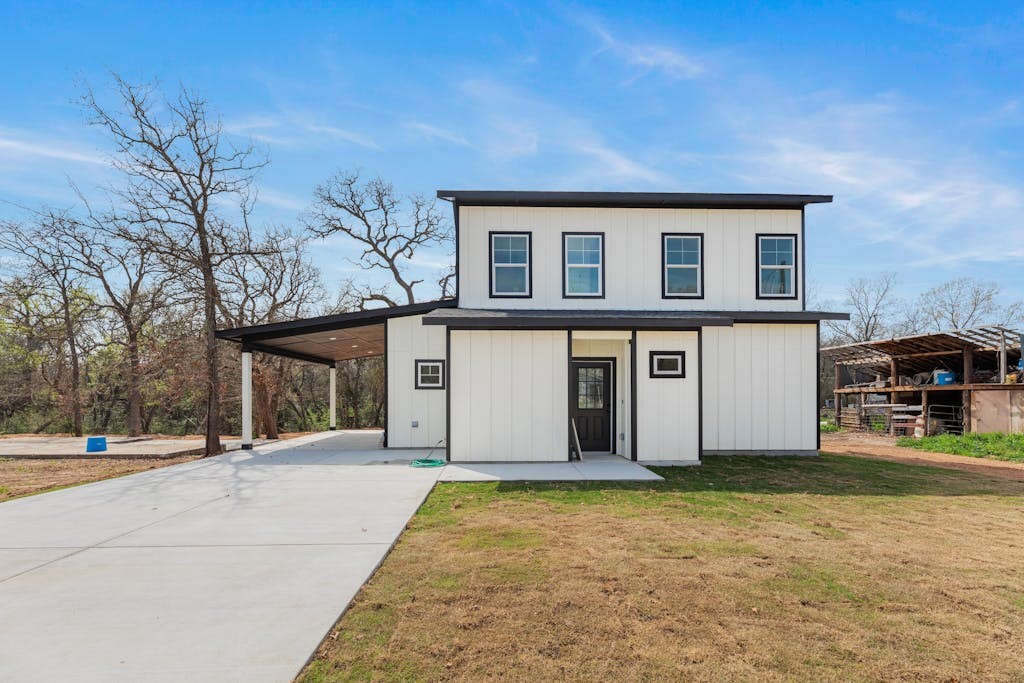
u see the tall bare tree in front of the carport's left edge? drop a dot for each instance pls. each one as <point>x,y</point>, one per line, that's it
<point>182,174</point>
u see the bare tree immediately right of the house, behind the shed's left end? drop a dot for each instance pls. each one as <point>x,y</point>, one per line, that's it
<point>874,309</point>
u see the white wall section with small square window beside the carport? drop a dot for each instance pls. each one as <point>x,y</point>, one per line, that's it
<point>409,340</point>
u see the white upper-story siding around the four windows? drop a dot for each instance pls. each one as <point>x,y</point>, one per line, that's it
<point>633,255</point>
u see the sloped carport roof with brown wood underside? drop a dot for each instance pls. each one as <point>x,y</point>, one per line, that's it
<point>328,339</point>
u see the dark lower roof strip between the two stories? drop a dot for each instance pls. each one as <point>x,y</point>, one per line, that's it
<point>612,320</point>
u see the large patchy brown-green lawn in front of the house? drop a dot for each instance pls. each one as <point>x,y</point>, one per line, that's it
<point>835,569</point>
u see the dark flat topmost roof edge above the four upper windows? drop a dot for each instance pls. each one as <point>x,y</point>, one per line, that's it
<point>631,200</point>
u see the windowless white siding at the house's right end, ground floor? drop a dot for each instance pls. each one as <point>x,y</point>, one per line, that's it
<point>760,389</point>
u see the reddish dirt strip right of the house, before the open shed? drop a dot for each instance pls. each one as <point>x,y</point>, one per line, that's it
<point>884,448</point>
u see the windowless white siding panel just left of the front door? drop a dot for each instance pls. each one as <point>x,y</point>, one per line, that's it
<point>509,396</point>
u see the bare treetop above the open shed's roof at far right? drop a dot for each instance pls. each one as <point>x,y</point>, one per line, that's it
<point>962,304</point>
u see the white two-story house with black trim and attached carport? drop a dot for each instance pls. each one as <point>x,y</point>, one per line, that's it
<point>660,327</point>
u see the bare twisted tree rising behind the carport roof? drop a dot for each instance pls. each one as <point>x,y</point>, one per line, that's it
<point>390,229</point>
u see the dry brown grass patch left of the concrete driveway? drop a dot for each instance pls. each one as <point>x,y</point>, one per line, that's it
<point>26,477</point>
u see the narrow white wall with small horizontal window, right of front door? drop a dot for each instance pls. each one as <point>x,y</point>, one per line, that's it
<point>668,408</point>
